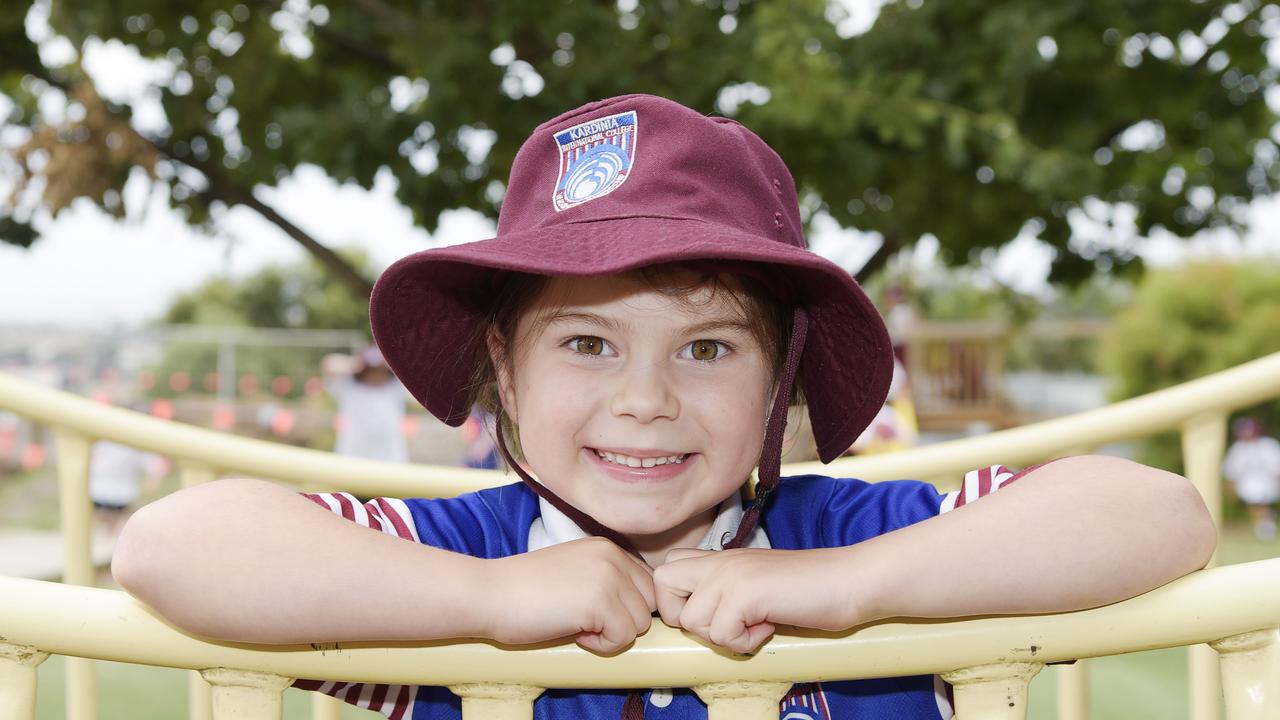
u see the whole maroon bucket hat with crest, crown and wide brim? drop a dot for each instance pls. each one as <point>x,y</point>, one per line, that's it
<point>620,185</point>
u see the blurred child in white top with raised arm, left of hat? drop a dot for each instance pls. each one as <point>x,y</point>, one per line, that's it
<point>371,407</point>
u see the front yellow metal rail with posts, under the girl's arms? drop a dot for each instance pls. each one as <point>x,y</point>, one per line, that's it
<point>990,660</point>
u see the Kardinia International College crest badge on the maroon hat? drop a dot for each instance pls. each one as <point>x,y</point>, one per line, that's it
<point>596,160</point>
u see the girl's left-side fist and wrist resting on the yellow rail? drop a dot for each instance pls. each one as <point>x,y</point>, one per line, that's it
<point>589,590</point>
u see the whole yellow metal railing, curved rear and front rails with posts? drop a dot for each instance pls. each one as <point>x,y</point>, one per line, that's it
<point>1235,605</point>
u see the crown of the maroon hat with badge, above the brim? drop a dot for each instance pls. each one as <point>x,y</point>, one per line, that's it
<point>641,156</point>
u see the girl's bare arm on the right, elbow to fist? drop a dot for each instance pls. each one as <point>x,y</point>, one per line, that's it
<point>1076,534</point>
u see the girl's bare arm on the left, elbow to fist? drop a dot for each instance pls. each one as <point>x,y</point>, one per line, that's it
<point>253,562</point>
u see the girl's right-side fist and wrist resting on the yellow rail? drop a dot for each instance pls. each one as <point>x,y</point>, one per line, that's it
<point>734,599</point>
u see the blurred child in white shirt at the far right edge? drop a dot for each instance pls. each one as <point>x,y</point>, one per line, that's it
<point>1252,466</point>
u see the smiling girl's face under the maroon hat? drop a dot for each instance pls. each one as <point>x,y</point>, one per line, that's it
<point>641,409</point>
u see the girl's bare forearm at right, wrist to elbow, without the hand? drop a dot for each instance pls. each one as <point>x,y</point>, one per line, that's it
<point>1077,534</point>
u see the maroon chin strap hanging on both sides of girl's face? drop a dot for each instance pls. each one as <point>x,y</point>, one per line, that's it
<point>771,455</point>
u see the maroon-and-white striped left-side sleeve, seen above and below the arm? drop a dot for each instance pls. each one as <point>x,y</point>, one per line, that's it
<point>392,517</point>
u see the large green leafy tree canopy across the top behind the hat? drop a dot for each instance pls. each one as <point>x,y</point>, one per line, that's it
<point>966,120</point>
